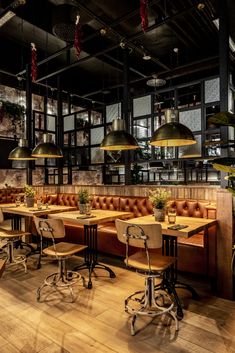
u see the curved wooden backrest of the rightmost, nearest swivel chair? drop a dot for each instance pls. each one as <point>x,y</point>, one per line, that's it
<point>140,235</point>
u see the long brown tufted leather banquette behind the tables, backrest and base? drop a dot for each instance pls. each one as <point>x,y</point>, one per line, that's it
<point>194,254</point>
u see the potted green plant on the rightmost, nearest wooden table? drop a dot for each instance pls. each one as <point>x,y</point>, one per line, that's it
<point>159,199</point>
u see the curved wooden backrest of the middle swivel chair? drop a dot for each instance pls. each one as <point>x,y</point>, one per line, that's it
<point>50,228</point>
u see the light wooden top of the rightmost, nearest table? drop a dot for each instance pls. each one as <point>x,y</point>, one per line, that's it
<point>194,225</point>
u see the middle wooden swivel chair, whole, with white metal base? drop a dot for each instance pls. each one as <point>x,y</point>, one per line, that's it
<point>53,229</point>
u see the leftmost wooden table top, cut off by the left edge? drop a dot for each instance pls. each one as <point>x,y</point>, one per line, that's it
<point>34,211</point>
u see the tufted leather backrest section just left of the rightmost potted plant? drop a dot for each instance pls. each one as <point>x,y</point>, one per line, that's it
<point>139,206</point>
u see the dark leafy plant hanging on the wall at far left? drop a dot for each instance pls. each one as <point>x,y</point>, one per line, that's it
<point>14,112</point>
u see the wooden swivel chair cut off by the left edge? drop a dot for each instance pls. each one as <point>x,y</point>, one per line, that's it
<point>10,238</point>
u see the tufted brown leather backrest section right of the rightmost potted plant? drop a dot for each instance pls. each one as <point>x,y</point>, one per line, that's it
<point>190,208</point>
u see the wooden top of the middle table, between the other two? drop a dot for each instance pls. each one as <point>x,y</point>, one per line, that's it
<point>96,216</point>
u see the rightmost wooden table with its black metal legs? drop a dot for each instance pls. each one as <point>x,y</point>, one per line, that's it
<point>194,225</point>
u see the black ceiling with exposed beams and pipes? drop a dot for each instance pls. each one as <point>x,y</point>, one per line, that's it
<point>180,24</point>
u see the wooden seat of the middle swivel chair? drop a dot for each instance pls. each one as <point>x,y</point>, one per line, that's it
<point>64,249</point>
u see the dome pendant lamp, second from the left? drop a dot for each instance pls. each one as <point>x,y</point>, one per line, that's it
<point>47,148</point>
